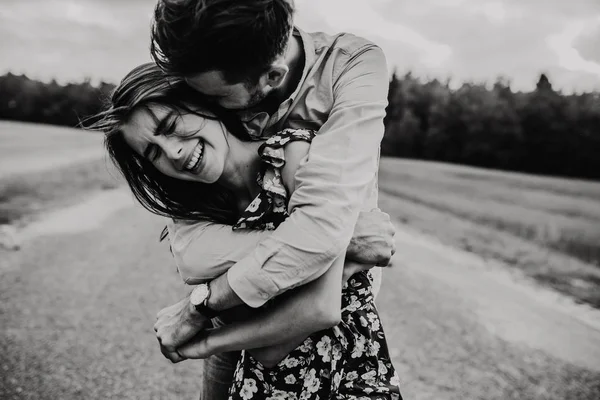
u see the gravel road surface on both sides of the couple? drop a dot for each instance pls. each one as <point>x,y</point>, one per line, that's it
<point>77,307</point>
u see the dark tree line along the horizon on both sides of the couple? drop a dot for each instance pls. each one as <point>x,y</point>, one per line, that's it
<point>542,131</point>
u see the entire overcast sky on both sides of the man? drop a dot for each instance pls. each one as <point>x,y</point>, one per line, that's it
<point>465,40</point>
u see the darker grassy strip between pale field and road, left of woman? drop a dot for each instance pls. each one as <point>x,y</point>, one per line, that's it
<point>24,196</point>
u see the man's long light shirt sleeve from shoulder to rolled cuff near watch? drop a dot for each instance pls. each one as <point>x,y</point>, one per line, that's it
<point>331,186</point>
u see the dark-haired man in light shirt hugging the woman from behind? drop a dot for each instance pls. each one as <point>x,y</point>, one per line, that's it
<point>247,56</point>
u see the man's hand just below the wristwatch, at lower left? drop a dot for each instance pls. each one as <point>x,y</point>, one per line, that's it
<point>177,324</point>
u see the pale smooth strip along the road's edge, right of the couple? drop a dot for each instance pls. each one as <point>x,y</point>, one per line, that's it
<point>507,305</point>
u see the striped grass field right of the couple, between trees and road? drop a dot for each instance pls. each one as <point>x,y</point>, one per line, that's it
<point>547,227</point>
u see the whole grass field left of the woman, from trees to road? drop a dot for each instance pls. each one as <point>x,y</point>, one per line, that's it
<point>43,167</point>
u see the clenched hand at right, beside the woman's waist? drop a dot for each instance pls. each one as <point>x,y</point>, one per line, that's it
<point>373,239</point>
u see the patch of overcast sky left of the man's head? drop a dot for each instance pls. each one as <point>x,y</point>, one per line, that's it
<point>70,40</point>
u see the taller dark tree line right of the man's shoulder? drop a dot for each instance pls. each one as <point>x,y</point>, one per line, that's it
<point>542,131</point>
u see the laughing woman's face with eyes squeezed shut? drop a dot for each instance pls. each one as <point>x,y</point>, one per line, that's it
<point>187,146</point>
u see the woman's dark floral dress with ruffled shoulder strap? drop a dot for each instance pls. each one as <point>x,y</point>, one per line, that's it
<point>349,361</point>
